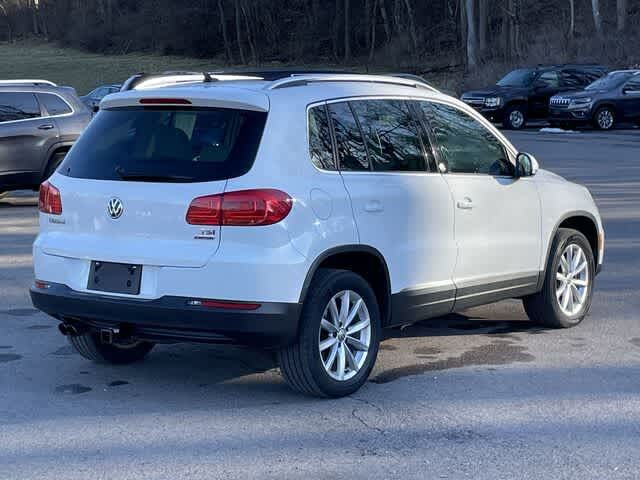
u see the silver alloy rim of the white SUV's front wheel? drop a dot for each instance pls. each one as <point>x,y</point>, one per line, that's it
<point>572,280</point>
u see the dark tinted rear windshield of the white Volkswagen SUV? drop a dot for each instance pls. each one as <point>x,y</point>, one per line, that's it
<point>166,145</point>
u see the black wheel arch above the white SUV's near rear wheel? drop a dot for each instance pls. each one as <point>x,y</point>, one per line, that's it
<point>364,260</point>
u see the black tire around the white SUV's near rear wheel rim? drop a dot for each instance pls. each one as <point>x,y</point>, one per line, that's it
<point>301,363</point>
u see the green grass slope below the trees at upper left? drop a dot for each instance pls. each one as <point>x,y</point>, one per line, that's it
<point>84,71</point>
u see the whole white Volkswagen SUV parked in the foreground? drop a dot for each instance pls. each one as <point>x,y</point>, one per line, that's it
<point>302,214</point>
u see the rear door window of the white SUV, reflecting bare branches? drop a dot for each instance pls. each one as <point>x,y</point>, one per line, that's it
<point>391,134</point>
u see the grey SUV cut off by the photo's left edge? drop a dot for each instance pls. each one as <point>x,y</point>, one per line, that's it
<point>39,122</point>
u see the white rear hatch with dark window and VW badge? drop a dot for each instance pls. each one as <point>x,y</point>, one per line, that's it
<point>128,182</point>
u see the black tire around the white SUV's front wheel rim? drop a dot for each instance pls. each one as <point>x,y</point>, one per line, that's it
<point>544,307</point>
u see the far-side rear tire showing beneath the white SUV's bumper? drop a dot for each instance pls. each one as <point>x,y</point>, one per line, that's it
<point>90,347</point>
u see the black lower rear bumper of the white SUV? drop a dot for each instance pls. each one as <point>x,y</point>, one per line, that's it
<point>171,319</point>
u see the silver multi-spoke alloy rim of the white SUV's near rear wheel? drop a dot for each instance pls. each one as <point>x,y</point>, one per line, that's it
<point>345,335</point>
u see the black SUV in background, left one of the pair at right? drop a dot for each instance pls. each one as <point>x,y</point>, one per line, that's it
<point>524,93</point>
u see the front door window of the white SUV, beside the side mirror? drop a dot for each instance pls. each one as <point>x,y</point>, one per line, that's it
<point>464,144</point>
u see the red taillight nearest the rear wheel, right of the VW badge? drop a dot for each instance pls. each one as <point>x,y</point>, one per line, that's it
<point>244,208</point>
